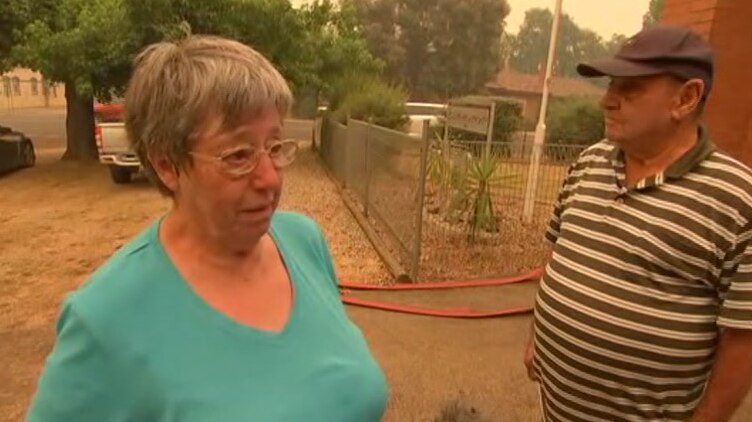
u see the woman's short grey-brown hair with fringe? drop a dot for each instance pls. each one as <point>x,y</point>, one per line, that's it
<point>177,87</point>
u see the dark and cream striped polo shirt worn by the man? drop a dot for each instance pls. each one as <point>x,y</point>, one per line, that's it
<point>640,281</point>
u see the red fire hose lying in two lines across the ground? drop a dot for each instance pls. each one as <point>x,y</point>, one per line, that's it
<point>439,312</point>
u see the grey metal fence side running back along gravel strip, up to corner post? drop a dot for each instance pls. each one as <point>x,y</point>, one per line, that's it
<point>381,169</point>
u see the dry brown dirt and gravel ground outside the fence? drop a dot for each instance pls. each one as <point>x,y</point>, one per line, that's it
<point>59,221</point>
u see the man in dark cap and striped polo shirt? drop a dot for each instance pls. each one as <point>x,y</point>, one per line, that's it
<point>644,311</point>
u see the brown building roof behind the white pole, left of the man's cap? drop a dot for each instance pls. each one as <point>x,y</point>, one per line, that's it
<point>512,81</point>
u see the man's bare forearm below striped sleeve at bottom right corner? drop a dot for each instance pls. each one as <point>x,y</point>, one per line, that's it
<point>730,379</point>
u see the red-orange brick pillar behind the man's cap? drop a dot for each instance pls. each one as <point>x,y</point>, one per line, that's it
<point>728,26</point>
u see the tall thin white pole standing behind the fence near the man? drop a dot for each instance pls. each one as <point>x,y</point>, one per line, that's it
<point>540,129</point>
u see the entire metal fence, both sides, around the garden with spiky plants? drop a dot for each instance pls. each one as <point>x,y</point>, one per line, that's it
<point>444,208</point>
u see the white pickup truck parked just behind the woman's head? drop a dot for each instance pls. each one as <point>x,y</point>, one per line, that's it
<point>115,152</point>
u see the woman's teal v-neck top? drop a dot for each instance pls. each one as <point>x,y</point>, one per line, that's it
<point>135,343</point>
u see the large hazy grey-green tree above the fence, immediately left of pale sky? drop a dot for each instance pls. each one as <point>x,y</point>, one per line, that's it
<point>427,45</point>
